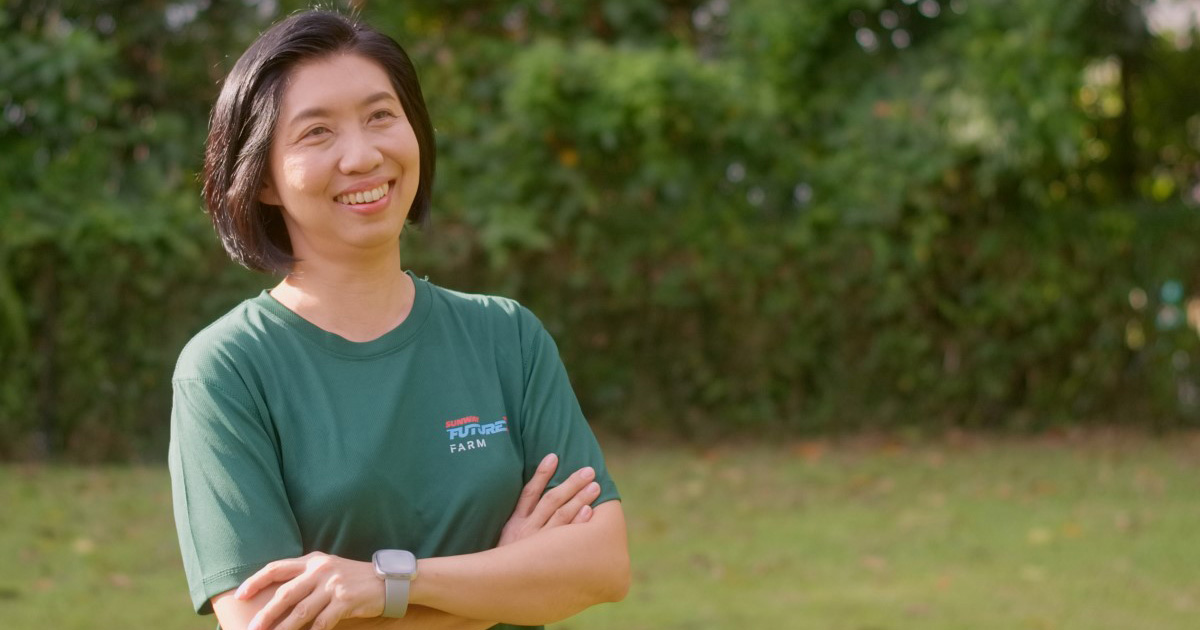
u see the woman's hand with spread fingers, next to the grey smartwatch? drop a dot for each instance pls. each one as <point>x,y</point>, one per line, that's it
<point>317,590</point>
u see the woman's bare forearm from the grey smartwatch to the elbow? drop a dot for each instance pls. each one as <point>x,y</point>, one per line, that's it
<point>539,580</point>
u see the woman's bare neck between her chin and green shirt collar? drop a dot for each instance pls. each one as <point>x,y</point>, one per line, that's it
<point>359,303</point>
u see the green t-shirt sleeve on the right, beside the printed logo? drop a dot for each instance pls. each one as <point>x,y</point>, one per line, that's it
<point>553,421</point>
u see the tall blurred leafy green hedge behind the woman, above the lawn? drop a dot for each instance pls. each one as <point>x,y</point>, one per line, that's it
<point>746,218</point>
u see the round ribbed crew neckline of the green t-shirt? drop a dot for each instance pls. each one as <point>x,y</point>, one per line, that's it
<point>335,344</point>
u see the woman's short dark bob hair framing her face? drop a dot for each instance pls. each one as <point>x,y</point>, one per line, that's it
<point>243,128</point>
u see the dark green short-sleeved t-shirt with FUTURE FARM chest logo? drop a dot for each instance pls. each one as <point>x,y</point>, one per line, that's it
<point>289,440</point>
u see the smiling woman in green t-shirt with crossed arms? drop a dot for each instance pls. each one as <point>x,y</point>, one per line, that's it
<point>358,447</point>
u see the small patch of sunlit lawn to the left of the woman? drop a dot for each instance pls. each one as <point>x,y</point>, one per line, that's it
<point>91,549</point>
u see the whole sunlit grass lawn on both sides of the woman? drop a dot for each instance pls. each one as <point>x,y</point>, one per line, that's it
<point>1089,532</point>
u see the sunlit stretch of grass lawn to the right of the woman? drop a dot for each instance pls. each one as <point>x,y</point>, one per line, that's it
<point>1093,533</point>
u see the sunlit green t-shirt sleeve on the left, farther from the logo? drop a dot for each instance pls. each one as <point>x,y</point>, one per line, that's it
<point>232,512</point>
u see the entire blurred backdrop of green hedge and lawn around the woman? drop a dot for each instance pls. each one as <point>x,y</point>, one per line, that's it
<point>887,311</point>
